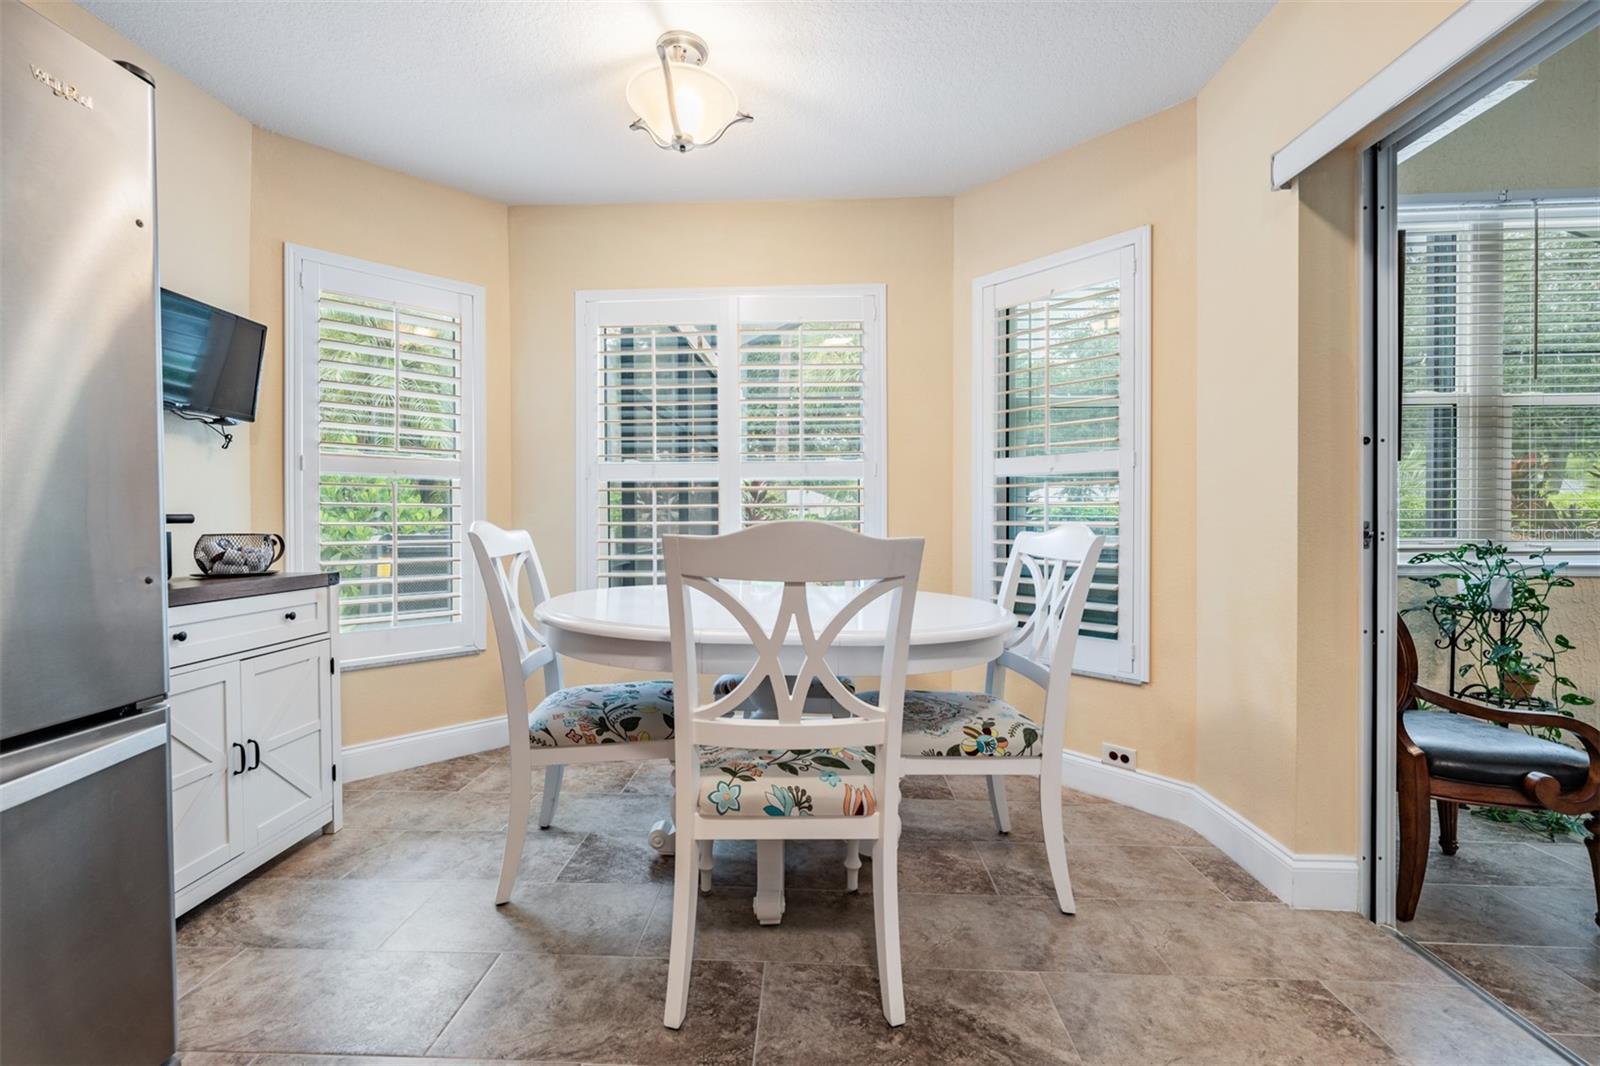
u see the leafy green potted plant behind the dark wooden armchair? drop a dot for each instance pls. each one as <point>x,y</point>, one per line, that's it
<point>1492,609</point>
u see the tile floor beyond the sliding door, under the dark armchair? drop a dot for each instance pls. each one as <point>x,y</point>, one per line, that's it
<point>1516,915</point>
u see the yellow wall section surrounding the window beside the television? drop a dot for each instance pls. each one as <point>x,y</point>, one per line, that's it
<point>321,199</point>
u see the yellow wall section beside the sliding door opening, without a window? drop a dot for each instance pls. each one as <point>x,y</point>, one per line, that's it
<point>1278,713</point>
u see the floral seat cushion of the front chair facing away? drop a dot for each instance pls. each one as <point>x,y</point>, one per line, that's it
<point>826,783</point>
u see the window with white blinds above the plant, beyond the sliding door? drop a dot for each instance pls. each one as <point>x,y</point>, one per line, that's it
<point>1500,425</point>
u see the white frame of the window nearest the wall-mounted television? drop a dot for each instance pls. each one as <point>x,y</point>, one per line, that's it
<point>302,467</point>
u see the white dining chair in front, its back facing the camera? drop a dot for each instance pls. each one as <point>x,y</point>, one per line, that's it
<point>814,777</point>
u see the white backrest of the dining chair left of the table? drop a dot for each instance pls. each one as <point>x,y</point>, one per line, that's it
<point>508,563</point>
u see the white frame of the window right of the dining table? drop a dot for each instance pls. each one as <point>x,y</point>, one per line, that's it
<point>1129,657</point>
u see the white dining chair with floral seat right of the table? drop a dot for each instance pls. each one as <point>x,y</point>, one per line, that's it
<point>982,734</point>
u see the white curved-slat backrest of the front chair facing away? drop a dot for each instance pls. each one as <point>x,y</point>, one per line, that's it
<point>798,556</point>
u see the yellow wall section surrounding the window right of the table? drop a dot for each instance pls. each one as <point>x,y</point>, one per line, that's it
<point>1143,174</point>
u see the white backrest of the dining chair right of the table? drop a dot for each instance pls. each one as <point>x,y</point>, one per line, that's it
<point>1058,564</point>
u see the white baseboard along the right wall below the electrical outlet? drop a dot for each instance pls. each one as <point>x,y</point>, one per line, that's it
<point>1314,883</point>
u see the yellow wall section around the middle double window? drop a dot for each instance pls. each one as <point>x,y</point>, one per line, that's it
<point>559,250</point>
